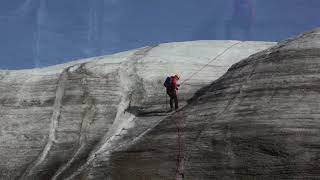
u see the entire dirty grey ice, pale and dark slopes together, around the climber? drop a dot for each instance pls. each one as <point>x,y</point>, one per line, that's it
<point>253,113</point>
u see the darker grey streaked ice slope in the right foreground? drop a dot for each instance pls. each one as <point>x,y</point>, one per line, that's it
<point>260,120</point>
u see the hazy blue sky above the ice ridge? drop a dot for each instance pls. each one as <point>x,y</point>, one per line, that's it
<point>37,33</point>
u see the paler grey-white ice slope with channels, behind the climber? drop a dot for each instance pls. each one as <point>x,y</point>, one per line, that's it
<point>56,122</point>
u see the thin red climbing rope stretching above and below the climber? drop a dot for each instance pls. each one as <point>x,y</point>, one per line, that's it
<point>181,156</point>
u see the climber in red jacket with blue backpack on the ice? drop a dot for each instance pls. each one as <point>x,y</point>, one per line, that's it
<point>172,87</point>
